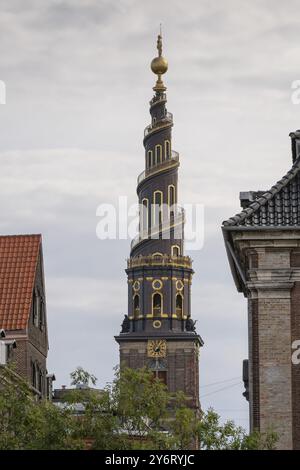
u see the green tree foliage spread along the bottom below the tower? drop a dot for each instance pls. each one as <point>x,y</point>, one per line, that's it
<point>135,411</point>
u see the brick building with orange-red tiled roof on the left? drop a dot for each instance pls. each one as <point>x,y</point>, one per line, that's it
<point>23,317</point>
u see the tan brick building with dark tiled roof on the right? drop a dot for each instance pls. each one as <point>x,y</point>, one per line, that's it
<point>263,247</point>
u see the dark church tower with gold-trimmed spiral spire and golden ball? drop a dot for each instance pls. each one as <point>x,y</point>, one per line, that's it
<point>158,331</point>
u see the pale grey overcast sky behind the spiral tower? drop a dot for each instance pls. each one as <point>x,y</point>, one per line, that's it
<point>78,88</point>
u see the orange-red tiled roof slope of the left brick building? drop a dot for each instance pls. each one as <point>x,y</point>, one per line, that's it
<point>18,263</point>
